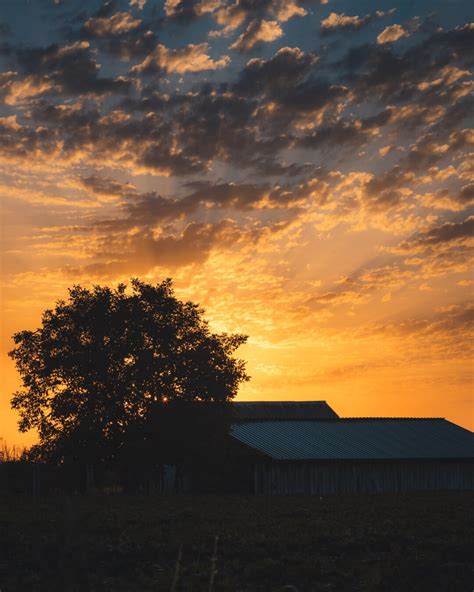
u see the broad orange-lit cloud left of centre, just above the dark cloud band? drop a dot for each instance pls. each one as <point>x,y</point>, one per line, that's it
<point>190,58</point>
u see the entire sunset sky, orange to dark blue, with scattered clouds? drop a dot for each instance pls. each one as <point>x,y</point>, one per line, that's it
<point>301,170</point>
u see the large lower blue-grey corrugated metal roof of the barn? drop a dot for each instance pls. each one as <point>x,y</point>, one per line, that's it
<point>356,439</point>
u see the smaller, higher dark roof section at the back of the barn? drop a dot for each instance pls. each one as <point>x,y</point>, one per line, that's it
<point>273,410</point>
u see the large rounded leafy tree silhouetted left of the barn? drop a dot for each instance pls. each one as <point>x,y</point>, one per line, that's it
<point>116,374</point>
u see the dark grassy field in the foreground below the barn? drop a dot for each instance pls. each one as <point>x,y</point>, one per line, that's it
<point>377,543</point>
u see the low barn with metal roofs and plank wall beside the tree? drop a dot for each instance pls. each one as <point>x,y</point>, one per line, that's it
<point>305,448</point>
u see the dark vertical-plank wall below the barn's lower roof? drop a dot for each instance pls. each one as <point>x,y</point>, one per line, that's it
<point>282,478</point>
